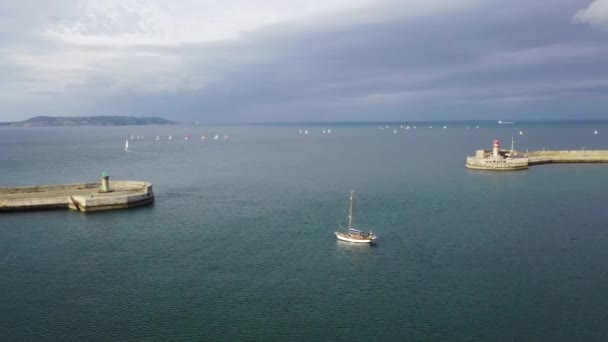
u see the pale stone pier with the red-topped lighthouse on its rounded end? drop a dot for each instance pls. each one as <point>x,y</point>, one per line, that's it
<point>497,159</point>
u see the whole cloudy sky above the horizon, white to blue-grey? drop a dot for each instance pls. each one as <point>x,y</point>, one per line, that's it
<point>235,61</point>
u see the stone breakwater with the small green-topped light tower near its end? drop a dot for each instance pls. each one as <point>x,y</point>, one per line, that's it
<point>77,196</point>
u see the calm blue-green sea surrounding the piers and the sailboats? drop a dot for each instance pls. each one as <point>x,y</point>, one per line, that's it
<point>239,244</point>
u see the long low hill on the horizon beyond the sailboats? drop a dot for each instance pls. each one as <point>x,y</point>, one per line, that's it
<point>44,121</point>
